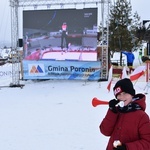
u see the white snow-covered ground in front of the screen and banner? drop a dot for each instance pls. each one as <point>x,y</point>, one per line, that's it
<point>55,115</point>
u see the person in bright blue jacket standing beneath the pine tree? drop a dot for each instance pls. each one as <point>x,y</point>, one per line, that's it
<point>130,59</point>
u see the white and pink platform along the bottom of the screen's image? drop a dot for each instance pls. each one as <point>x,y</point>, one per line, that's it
<point>56,53</point>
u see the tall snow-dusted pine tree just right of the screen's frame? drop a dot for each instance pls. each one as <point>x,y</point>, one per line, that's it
<point>120,37</point>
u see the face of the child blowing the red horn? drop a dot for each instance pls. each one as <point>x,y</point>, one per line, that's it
<point>125,97</point>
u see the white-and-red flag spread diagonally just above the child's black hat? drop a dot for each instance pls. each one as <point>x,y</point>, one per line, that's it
<point>137,73</point>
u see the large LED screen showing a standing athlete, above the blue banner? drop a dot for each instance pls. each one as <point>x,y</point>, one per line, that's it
<point>61,34</point>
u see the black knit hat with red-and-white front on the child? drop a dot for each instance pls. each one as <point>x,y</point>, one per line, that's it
<point>124,85</point>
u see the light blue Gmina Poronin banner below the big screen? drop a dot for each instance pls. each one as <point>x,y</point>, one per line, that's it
<point>71,70</point>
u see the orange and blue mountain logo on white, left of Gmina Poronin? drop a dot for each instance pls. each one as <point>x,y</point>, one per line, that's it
<point>36,69</point>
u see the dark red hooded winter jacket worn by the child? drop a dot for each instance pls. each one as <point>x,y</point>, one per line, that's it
<point>131,128</point>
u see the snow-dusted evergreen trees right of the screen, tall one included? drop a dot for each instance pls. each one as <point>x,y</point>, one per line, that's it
<point>126,31</point>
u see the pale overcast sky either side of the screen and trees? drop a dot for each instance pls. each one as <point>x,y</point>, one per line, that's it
<point>141,6</point>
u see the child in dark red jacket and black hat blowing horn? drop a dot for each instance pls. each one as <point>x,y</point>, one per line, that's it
<point>128,126</point>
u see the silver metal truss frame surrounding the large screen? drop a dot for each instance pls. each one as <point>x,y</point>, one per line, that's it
<point>34,4</point>
